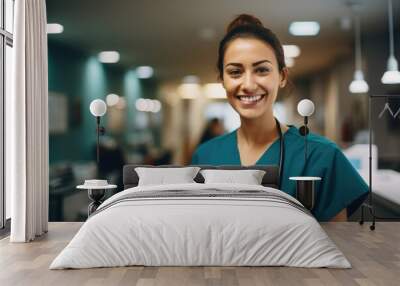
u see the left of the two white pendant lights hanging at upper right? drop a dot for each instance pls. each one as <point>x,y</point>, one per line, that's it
<point>358,85</point>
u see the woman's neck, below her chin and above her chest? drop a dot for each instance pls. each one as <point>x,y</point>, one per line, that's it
<point>259,132</point>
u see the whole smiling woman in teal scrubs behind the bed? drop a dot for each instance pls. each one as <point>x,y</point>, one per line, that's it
<point>252,70</point>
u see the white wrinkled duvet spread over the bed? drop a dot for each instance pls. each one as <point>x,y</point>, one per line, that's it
<point>183,231</point>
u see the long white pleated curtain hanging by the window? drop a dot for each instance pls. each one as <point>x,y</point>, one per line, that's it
<point>27,124</point>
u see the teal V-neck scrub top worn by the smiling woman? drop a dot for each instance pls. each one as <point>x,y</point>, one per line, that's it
<point>341,185</point>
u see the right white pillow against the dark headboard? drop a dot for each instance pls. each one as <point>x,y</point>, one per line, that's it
<point>248,177</point>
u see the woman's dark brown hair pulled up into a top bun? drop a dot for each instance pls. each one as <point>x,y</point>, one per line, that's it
<point>248,26</point>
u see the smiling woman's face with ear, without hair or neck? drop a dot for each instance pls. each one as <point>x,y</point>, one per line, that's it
<point>251,77</point>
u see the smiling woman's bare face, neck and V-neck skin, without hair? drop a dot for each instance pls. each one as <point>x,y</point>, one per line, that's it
<point>252,79</point>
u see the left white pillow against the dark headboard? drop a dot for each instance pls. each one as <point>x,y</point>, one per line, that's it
<point>164,176</point>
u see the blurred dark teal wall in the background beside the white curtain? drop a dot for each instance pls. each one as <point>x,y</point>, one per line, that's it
<point>82,78</point>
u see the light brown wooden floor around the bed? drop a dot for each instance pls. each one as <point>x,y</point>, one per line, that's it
<point>375,256</point>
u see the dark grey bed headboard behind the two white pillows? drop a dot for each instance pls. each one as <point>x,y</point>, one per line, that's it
<point>270,179</point>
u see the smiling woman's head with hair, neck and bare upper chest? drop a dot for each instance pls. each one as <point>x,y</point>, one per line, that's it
<point>252,68</point>
